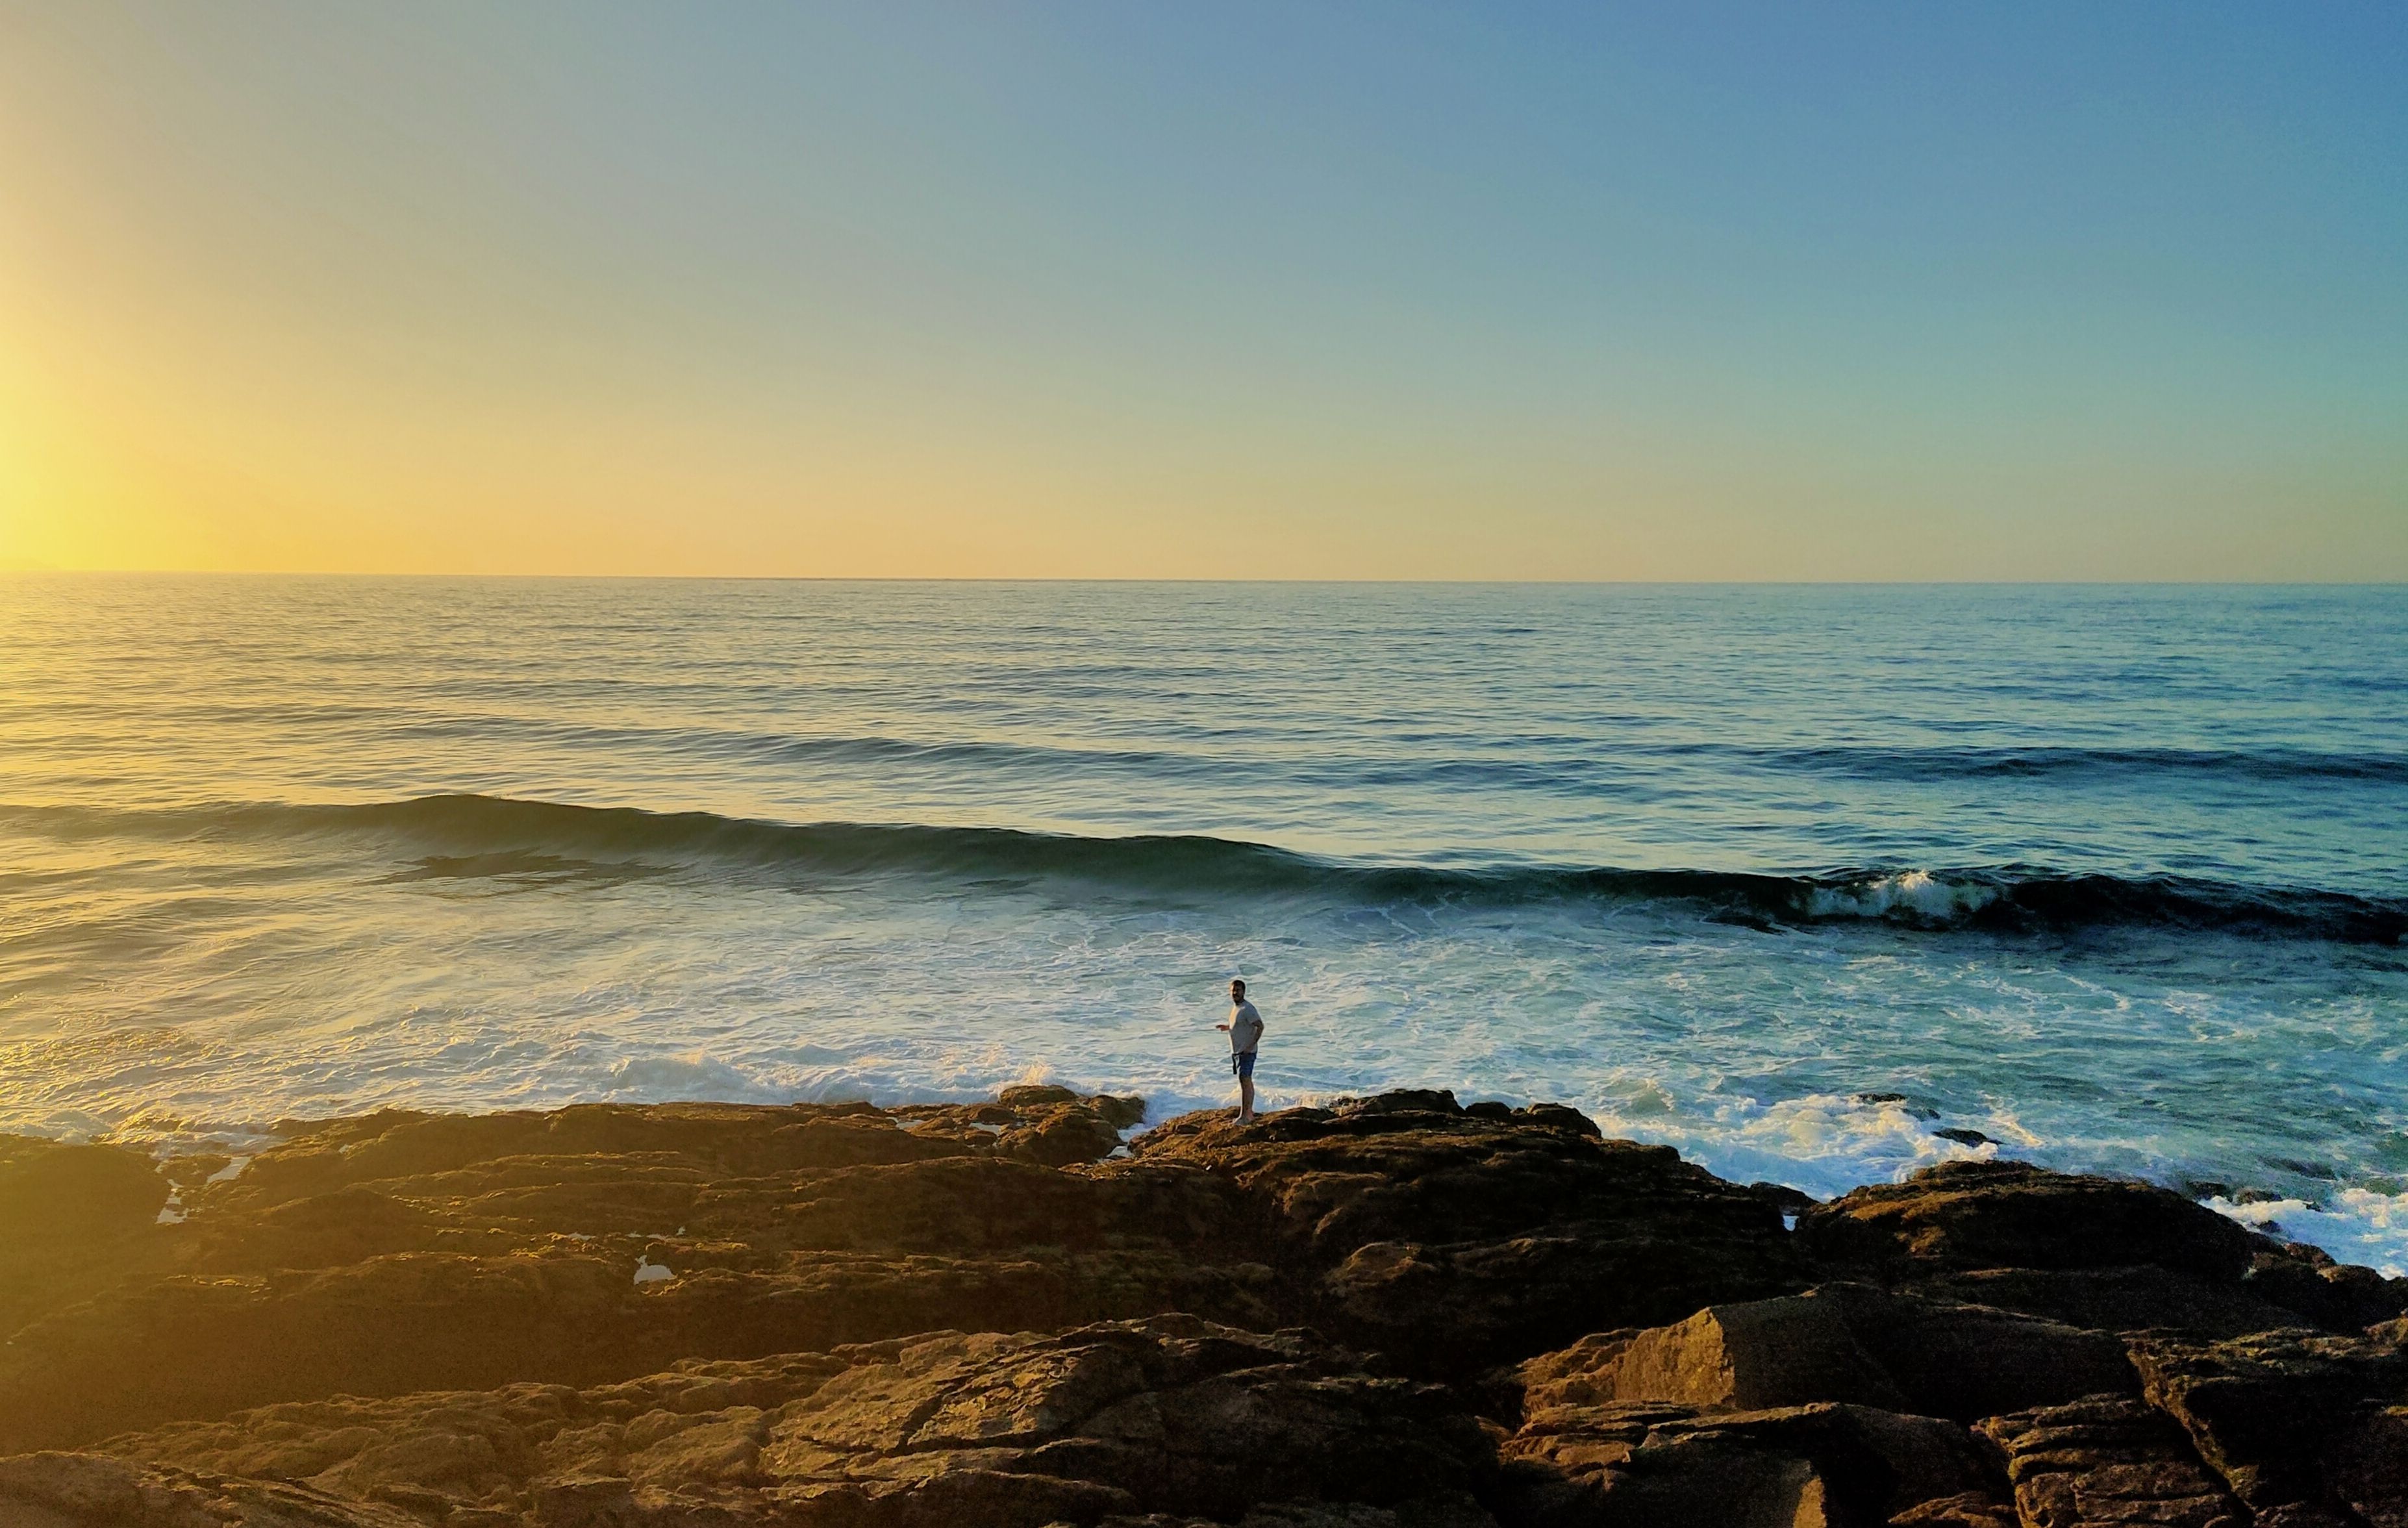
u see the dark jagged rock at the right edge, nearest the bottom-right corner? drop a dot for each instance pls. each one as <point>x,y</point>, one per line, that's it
<point>2267,1411</point>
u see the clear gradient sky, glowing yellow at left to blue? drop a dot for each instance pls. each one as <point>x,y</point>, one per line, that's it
<point>991,290</point>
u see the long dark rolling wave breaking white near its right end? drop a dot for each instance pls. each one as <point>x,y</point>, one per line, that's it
<point>466,834</point>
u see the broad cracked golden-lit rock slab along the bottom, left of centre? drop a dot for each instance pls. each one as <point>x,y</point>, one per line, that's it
<point>1169,1416</point>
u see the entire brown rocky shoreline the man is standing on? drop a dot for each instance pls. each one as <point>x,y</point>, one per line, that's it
<point>1395,1313</point>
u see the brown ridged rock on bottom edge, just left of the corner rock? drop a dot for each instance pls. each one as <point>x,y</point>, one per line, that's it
<point>2108,1462</point>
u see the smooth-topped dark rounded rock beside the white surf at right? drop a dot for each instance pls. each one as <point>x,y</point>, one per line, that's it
<point>2019,1216</point>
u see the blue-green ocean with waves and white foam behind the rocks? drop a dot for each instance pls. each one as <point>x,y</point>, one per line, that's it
<point>1786,877</point>
